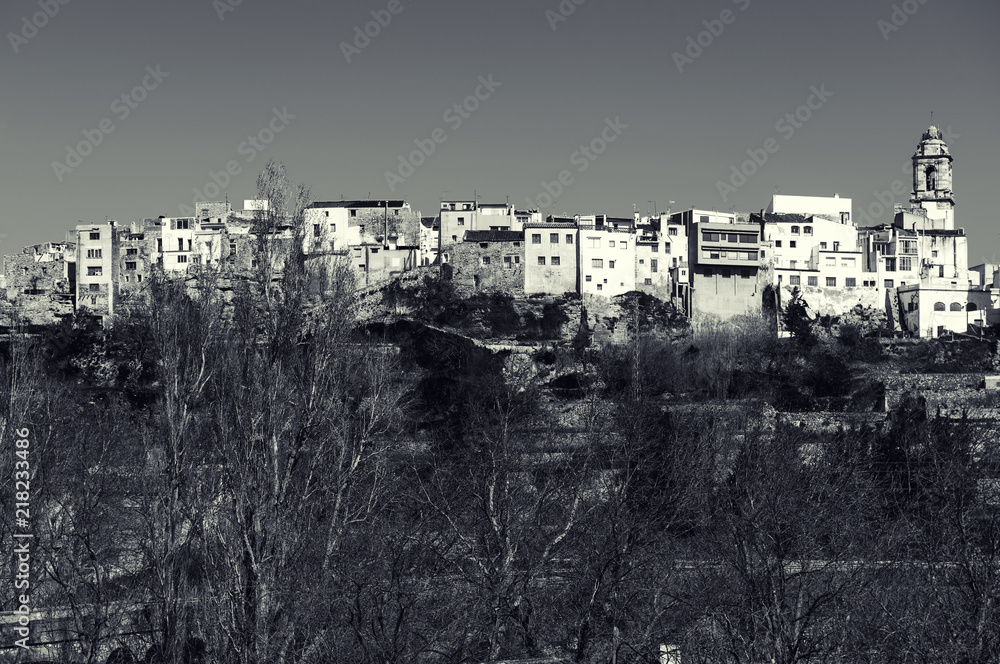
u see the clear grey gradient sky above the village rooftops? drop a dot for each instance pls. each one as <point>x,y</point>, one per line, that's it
<point>122,109</point>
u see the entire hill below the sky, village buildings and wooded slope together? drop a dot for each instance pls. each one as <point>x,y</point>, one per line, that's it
<point>492,436</point>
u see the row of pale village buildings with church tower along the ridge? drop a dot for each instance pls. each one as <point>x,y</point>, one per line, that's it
<point>707,263</point>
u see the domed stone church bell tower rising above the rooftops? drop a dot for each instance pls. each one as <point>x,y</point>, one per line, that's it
<point>932,178</point>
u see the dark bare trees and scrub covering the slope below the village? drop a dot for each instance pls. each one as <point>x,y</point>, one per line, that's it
<point>268,479</point>
